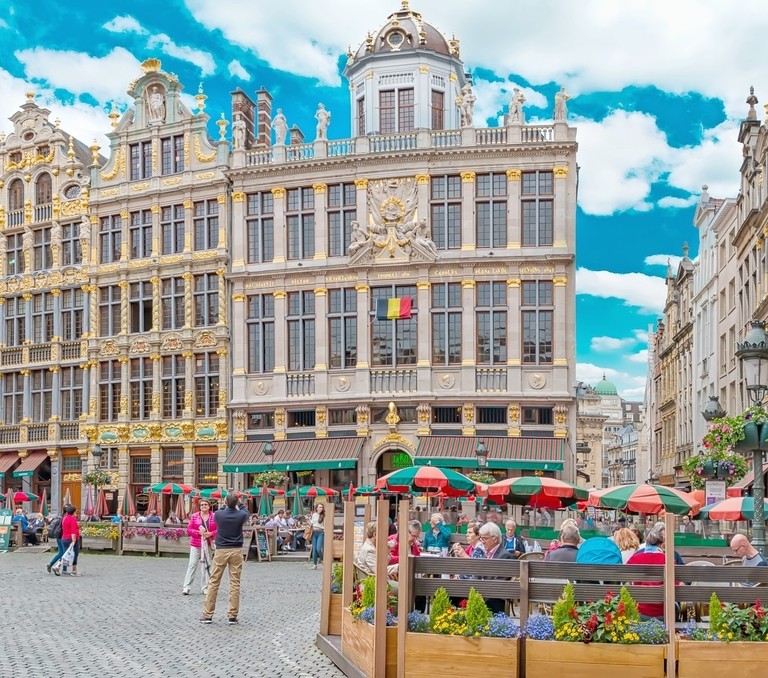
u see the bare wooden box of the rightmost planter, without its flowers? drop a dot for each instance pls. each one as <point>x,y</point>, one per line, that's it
<point>696,659</point>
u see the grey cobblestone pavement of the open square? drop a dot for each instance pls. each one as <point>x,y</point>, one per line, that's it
<point>125,616</point>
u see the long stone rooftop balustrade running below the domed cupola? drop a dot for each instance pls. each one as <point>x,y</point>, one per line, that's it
<point>409,141</point>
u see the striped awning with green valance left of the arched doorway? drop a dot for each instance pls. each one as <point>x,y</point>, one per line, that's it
<point>295,455</point>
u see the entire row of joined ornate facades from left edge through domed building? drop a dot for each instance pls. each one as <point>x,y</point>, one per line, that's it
<point>199,293</point>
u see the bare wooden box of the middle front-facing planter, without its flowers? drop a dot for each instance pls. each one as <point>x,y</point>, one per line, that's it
<point>548,658</point>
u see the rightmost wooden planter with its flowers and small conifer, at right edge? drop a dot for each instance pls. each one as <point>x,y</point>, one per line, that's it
<point>736,635</point>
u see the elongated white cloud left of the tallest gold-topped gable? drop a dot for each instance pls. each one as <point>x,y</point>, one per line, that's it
<point>105,78</point>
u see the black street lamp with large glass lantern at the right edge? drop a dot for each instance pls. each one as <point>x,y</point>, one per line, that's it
<point>753,354</point>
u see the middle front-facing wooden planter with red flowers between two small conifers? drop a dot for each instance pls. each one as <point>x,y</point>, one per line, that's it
<point>594,636</point>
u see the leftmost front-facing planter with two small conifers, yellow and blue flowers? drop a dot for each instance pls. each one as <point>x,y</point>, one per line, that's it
<point>441,643</point>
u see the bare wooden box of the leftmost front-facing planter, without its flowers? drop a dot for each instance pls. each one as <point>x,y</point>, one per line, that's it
<point>428,655</point>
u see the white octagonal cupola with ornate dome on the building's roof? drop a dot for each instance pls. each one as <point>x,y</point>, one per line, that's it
<point>405,76</point>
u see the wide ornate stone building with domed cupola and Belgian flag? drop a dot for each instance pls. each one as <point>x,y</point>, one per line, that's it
<point>474,225</point>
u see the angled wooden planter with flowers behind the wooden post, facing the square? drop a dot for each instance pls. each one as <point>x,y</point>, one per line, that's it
<point>357,630</point>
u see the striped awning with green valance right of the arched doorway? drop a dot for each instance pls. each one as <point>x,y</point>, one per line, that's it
<point>545,454</point>
